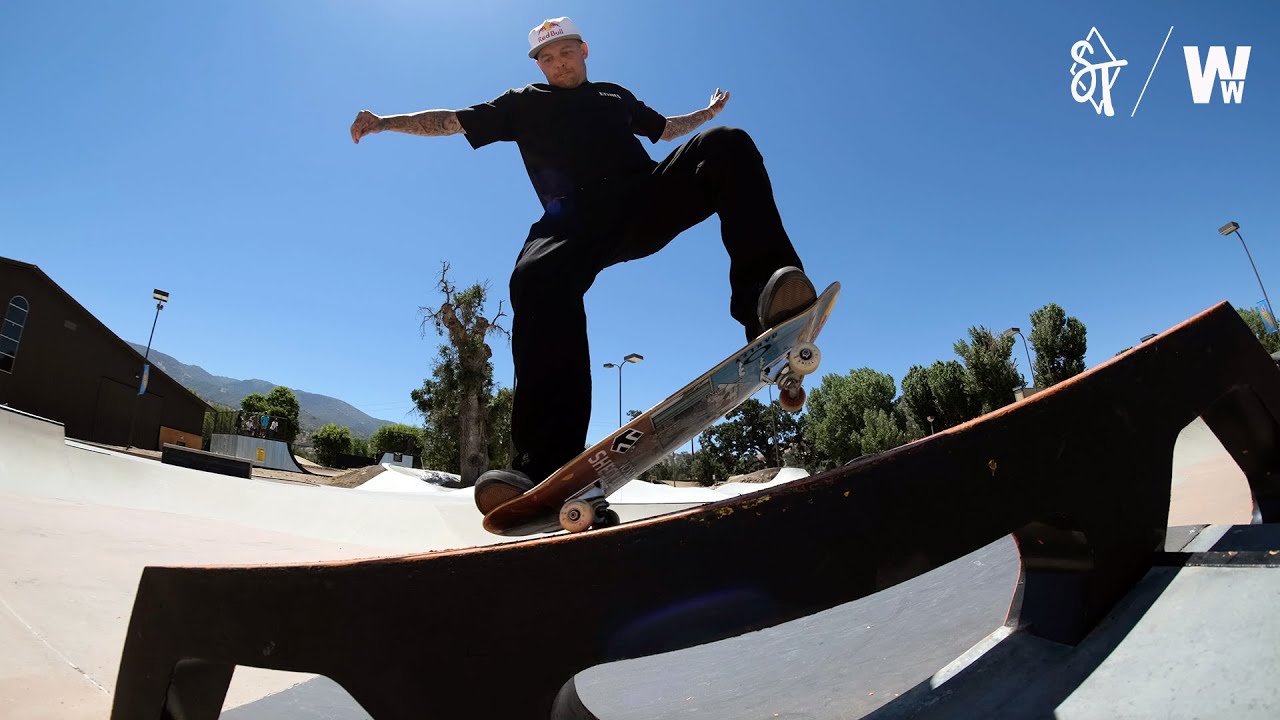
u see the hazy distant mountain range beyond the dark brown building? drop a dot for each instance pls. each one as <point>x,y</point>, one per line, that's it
<point>314,411</point>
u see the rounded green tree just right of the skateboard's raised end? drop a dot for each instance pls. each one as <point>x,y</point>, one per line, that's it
<point>839,412</point>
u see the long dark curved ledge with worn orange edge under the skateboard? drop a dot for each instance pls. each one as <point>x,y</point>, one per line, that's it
<point>1080,475</point>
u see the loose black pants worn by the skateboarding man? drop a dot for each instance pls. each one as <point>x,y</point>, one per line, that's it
<point>719,171</point>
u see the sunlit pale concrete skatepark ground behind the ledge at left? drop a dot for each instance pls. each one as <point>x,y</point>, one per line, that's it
<point>81,522</point>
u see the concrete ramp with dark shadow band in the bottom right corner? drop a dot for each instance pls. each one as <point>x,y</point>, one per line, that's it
<point>1192,640</point>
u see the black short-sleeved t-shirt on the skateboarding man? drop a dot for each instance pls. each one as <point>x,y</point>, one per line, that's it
<point>569,139</point>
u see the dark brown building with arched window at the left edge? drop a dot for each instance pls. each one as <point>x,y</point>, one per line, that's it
<point>60,362</point>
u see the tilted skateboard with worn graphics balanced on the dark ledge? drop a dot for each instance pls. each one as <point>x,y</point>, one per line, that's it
<point>575,498</point>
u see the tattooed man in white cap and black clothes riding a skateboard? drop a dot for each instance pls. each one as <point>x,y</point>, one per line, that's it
<point>606,202</point>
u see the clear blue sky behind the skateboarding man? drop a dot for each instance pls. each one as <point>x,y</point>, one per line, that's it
<point>927,156</point>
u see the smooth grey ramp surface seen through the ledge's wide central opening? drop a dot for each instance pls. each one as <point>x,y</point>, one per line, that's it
<point>838,664</point>
